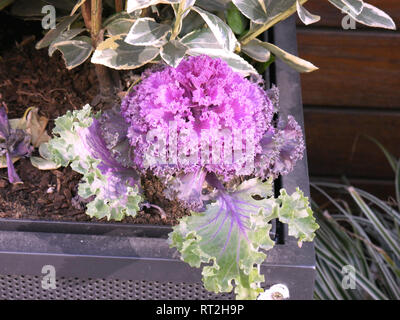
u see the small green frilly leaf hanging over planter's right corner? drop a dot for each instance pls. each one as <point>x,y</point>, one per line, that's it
<point>295,211</point>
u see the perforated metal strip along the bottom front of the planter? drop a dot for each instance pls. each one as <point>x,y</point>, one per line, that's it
<point>29,288</point>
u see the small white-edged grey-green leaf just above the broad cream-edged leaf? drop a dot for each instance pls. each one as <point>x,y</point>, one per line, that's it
<point>147,32</point>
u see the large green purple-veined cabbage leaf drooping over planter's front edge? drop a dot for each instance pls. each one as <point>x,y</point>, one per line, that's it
<point>229,235</point>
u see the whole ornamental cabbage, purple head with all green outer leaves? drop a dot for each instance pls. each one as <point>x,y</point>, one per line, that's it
<point>213,138</point>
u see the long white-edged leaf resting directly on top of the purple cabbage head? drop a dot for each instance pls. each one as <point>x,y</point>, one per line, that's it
<point>236,62</point>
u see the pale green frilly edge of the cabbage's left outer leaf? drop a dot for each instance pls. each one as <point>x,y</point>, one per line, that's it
<point>67,148</point>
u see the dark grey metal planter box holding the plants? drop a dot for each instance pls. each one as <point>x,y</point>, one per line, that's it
<point>121,261</point>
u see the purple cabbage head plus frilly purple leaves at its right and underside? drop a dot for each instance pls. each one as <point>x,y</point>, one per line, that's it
<point>204,117</point>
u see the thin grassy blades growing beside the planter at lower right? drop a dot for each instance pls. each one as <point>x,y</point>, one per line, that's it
<point>362,232</point>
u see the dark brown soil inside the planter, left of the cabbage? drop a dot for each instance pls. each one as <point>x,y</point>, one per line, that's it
<point>29,78</point>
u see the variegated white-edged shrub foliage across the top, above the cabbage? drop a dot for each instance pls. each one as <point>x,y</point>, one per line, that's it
<point>158,29</point>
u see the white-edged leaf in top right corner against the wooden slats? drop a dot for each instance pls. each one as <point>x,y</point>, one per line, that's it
<point>370,15</point>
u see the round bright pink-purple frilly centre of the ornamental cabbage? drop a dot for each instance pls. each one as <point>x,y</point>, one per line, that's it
<point>201,101</point>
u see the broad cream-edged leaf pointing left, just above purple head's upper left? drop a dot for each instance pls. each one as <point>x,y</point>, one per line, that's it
<point>117,54</point>
